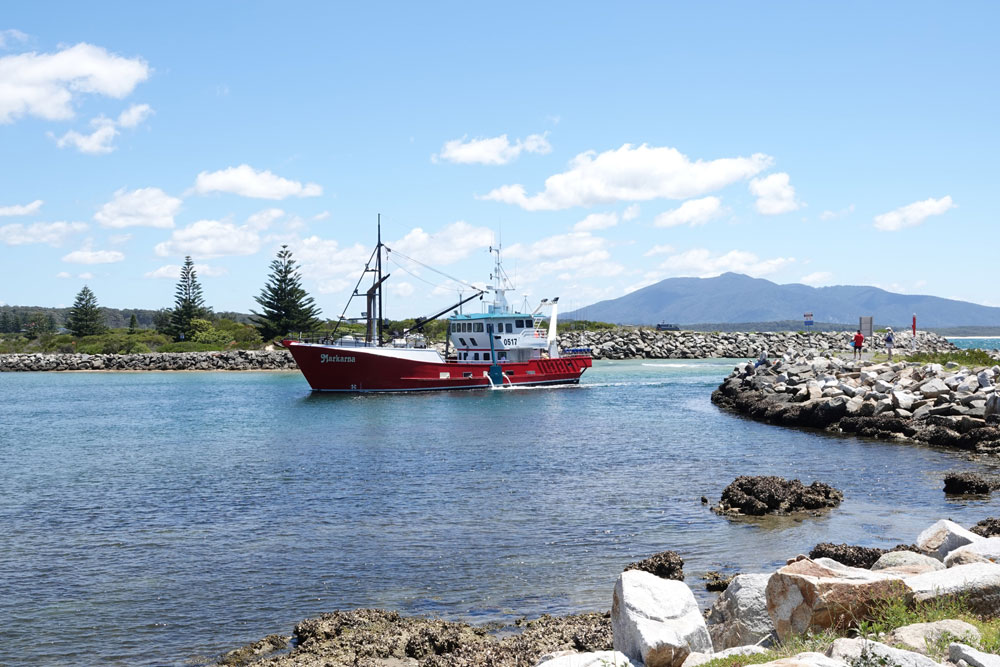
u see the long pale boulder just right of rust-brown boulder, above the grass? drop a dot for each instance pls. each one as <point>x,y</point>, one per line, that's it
<point>977,584</point>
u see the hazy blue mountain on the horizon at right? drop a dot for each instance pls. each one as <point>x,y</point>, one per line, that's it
<point>733,297</point>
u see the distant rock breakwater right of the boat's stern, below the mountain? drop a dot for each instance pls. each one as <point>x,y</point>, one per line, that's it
<point>638,343</point>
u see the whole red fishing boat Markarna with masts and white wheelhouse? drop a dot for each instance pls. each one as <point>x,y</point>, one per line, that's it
<point>497,348</point>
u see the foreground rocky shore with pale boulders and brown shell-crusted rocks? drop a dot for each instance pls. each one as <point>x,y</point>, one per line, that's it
<point>807,613</point>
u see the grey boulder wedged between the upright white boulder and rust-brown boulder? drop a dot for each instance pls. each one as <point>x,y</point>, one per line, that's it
<point>739,616</point>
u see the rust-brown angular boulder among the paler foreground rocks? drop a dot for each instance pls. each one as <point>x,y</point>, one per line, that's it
<point>814,595</point>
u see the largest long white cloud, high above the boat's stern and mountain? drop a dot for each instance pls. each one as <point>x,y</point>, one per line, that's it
<point>632,173</point>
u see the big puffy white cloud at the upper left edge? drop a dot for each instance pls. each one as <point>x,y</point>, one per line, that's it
<point>47,84</point>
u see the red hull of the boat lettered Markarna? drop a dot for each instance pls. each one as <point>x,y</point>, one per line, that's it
<point>364,369</point>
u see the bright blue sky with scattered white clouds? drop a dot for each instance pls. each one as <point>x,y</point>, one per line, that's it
<point>609,146</point>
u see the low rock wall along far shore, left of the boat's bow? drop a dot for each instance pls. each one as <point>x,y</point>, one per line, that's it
<point>233,360</point>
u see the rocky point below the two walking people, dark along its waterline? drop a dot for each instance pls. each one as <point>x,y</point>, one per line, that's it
<point>946,405</point>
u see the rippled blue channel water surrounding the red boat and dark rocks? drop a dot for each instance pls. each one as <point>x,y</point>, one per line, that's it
<point>156,518</point>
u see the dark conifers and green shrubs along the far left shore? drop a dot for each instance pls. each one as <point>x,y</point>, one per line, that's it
<point>284,307</point>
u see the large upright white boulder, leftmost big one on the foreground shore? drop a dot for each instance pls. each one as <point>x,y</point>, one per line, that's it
<point>656,621</point>
